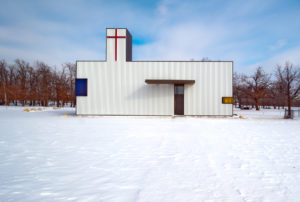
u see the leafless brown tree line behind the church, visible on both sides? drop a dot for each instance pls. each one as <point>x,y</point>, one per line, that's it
<point>40,84</point>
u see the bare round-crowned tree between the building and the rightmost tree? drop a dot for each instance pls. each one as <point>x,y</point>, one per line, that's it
<point>257,85</point>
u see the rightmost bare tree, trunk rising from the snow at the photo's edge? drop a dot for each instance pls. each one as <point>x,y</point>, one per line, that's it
<point>288,81</point>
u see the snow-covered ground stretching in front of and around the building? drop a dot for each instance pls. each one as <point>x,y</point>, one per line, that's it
<point>48,156</point>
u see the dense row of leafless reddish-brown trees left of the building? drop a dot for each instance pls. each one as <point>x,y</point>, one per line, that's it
<point>36,85</point>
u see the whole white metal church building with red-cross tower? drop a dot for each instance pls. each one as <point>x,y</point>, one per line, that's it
<point>120,86</point>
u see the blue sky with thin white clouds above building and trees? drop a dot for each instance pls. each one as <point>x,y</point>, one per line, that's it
<point>251,33</point>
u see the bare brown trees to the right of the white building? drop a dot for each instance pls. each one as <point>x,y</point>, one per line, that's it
<point>280,89</point>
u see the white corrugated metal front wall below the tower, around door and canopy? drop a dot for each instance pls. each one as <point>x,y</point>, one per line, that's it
<point>119,88</point>
